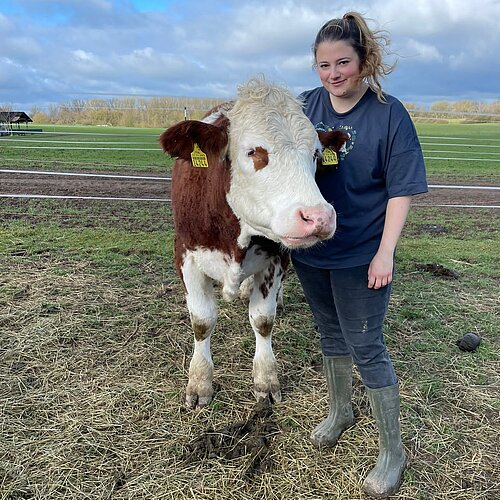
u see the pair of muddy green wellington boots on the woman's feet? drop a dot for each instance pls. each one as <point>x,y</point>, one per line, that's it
<point>385,478</point>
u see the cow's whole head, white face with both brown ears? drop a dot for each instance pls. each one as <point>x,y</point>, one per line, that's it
<point>273,150</point>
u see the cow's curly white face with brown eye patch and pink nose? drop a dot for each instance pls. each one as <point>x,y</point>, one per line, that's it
<point>272,147</point>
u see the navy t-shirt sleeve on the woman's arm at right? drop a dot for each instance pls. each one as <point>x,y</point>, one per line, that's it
<point>405,168</point>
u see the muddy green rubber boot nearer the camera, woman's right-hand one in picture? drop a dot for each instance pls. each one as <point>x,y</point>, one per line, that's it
<point>385,478</point>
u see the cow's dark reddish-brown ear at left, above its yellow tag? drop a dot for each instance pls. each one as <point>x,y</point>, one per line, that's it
<point>179,140</point>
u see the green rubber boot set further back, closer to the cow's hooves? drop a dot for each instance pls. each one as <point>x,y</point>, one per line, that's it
<point>338,374</point>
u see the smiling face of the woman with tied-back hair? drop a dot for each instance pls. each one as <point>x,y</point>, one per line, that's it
<point>339,68</point>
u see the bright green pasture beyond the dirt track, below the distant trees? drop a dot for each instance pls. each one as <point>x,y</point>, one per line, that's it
<point>452,150</point>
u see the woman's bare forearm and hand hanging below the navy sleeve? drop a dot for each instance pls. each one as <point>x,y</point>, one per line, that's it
<point>381,266</point>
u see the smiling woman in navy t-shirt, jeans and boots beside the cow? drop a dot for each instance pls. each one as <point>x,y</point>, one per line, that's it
<point>347,281</point>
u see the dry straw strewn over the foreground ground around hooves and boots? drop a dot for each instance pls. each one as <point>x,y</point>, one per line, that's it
<point>92,375</point>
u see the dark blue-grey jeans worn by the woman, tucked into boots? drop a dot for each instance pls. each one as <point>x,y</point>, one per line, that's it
<point>350,318</point>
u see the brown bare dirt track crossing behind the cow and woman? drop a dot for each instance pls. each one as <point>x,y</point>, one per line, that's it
<point>56,185</point>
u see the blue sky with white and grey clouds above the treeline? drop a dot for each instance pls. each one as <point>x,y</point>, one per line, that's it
<point>54,51</point>
